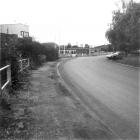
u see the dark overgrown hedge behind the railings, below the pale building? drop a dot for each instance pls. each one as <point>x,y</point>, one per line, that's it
<point>26,48</point>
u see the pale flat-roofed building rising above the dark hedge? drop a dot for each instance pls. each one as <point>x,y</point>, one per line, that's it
<point>20,30</point>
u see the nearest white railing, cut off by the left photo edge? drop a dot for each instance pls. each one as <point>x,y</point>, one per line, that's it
<point>8,77</point>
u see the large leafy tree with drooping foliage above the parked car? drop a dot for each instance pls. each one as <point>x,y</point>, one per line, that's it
<point>123,33</point>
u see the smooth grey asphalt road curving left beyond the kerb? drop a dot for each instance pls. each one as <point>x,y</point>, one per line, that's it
<point>108,89</point>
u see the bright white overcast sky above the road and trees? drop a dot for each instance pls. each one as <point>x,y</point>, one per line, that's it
<point>62,21</point>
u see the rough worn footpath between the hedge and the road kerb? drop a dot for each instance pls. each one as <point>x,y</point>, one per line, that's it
<point>45,110</point>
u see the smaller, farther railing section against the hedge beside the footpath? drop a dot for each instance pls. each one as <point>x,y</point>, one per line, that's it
<point>23,64</point>
